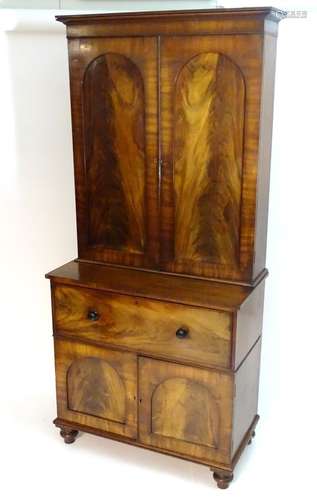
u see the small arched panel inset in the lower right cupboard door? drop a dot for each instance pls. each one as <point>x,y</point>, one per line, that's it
<point>186,410</point>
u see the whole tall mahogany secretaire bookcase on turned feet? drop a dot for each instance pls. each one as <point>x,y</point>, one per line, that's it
<point>157,323</point>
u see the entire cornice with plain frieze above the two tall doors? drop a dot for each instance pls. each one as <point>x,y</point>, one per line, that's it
<point>190,22</point>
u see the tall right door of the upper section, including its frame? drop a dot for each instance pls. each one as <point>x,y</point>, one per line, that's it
<point>224,213</point>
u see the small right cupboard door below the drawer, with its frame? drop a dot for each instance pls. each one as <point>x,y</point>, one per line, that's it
<point>185,410</point>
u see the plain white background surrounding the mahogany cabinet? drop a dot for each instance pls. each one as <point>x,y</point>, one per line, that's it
<point>38,233</point>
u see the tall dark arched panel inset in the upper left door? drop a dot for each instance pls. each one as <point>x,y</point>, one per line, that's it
<point>114,136</point>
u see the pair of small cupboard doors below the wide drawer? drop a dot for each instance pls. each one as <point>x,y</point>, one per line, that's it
<point>182,409</point>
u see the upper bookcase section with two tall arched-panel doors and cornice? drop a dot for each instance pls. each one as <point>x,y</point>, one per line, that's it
<point>172,139</point>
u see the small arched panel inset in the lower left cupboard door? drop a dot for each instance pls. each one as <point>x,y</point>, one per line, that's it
<point>95,388</point>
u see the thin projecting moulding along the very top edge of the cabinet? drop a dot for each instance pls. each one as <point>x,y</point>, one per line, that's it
<point>270,13</point>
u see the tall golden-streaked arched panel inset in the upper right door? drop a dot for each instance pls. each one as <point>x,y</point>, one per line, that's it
<point>207,160</point>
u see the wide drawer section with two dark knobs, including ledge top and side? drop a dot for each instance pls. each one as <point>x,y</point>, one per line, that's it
<point>126,321</point>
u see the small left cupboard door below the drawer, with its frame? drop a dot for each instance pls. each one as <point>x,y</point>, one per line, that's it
<point>96,387</point>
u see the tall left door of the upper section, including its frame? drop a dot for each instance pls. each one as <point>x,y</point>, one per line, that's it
<point>114,113</point>
